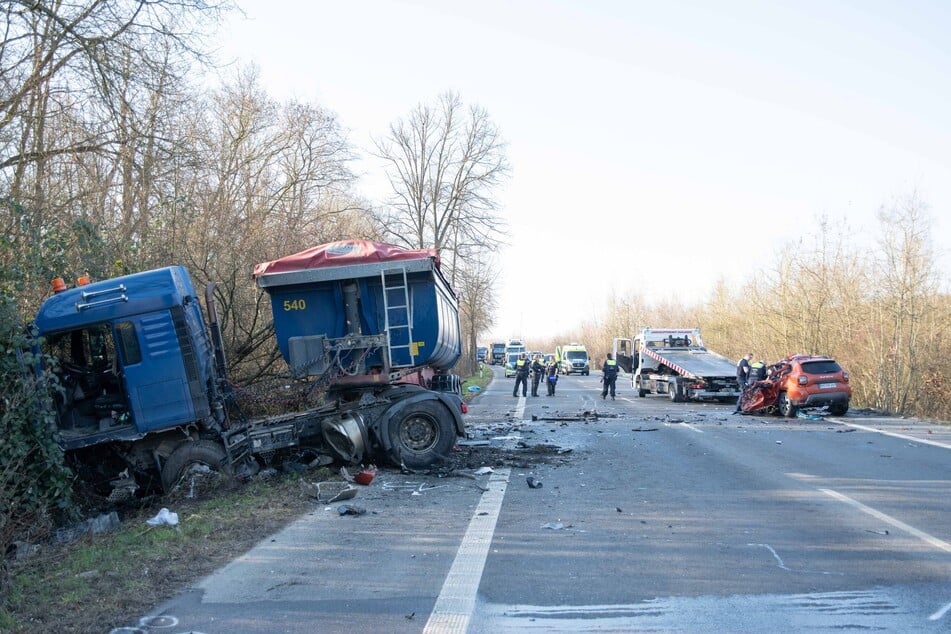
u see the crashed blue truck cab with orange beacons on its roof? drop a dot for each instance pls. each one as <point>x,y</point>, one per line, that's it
<point>133,354</point>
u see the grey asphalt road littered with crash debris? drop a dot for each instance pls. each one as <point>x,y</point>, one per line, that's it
<point>651,516</point>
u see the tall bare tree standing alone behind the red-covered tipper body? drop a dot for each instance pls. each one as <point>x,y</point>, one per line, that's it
<point>445,163</point>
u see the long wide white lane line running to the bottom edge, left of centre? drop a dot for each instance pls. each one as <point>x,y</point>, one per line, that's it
<point>456,601</point>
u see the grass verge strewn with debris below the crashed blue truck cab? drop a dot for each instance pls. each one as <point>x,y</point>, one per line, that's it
<point>110,580</point>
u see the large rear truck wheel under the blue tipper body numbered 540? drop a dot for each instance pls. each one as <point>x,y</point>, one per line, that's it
<point>423,436</point>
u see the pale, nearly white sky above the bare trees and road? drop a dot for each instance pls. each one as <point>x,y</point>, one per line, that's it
<point>655,146</point>
